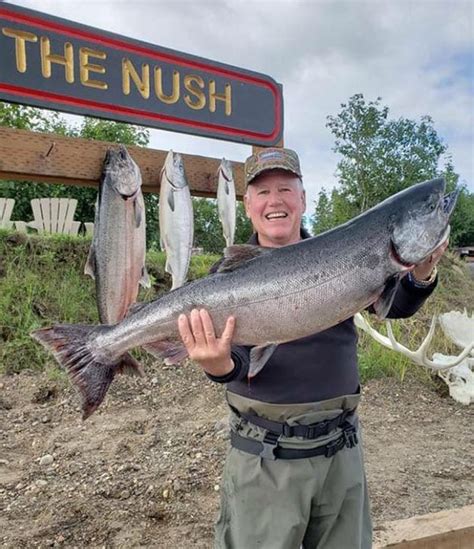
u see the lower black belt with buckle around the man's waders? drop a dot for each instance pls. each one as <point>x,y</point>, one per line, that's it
<point>269,448</point>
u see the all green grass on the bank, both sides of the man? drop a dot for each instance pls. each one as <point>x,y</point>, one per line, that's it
<point>42,282</point>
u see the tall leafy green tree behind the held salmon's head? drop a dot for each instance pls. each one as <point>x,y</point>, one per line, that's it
<point>380,157</point>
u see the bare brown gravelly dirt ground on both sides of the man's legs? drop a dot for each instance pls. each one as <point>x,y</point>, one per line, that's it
<point>144,471</point>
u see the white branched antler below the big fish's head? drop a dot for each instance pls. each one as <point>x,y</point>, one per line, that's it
<point>420,355</point>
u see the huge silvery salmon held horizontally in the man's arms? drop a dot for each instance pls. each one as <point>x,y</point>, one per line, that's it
<point>276,294</point>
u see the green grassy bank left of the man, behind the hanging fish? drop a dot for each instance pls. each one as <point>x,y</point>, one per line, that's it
<point>42,283</point>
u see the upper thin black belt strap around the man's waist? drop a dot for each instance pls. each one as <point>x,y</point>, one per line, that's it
<point>315,430</point>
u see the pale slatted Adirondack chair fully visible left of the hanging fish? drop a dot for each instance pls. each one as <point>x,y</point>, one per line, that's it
<point>52,215</point>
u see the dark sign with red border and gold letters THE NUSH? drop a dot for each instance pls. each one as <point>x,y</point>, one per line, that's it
<point>50,62</point>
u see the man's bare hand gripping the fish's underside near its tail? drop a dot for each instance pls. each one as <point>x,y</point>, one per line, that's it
<point>199,338</point>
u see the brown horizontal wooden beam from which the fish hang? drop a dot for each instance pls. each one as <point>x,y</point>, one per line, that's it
<point>51,158</point>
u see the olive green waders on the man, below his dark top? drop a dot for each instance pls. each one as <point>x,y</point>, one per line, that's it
<point>317,502</point>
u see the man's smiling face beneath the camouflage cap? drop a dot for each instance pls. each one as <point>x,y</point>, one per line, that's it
<point>275,202</point>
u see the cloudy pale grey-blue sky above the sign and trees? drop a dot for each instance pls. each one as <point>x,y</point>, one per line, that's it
<point>418,56</point>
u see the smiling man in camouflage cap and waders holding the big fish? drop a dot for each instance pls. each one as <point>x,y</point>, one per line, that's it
<point>300,408</point>
